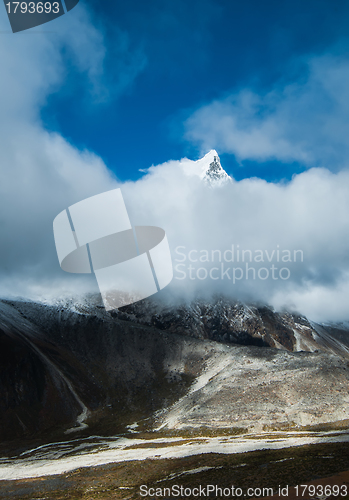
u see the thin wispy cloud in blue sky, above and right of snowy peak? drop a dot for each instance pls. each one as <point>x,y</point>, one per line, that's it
<point>303,121</point>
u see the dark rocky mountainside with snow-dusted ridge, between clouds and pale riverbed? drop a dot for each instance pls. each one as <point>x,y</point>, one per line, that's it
<point>71,368</point>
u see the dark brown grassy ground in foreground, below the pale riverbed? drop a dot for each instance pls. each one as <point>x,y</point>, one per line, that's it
<point>263,468</point>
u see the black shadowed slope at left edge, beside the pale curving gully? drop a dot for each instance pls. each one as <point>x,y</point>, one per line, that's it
<point>34,397</point>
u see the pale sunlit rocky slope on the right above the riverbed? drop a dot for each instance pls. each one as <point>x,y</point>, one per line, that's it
<point>259,389</point>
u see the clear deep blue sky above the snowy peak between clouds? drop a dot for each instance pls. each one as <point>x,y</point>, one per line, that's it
<point>177,57</point>
